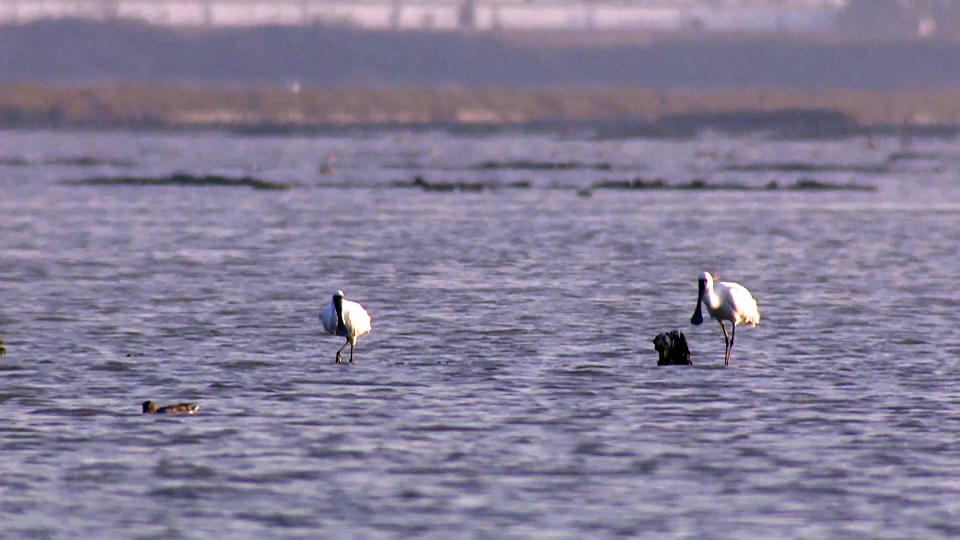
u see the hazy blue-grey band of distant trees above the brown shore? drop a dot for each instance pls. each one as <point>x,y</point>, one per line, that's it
<point>79,51</point>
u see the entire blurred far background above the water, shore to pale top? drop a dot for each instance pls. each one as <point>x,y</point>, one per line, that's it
<point>335,62</point>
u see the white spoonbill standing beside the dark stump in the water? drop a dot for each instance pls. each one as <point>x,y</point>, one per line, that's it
<point>725,301</point>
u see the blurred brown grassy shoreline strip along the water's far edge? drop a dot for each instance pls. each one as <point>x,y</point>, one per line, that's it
<point>609,112</point>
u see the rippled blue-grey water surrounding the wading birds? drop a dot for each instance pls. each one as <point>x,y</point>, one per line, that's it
<point>509,387</point>
